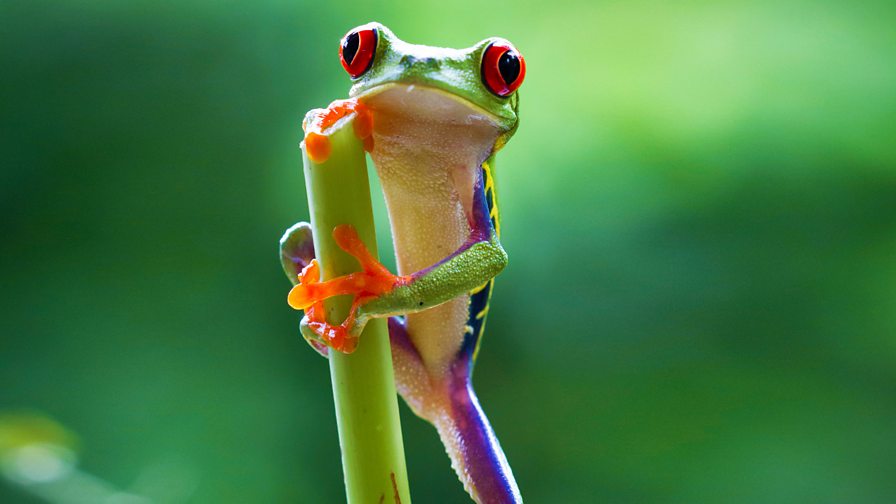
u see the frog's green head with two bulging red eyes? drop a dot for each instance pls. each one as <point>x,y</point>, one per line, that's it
<point>473,86</point>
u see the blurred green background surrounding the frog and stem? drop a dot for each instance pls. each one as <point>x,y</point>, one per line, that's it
<point>699,207</point>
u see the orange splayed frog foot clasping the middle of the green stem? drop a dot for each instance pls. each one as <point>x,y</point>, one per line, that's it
<point>373,281</point>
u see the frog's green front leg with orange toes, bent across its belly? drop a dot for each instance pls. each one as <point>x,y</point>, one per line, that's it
<point>378,293</point>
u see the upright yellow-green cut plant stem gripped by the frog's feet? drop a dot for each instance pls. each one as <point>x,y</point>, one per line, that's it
<point>363,384</point>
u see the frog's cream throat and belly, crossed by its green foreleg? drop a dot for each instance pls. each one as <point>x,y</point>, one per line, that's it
<point>428,148</point>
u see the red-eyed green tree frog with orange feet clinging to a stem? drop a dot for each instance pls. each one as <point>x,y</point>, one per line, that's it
<point>435,118</point>
